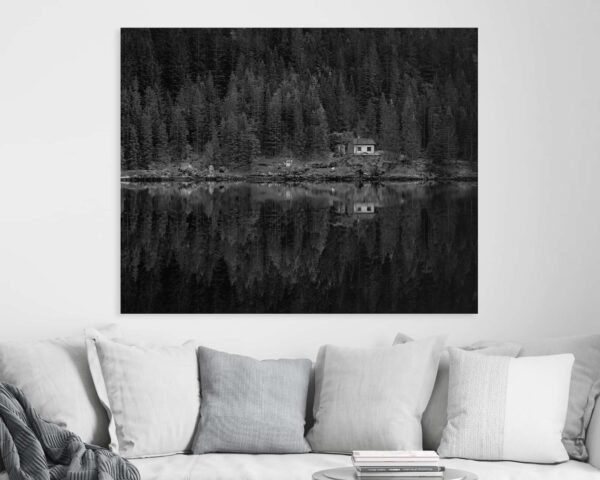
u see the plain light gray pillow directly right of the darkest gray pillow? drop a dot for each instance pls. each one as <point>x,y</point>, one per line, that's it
<point>373,399</point>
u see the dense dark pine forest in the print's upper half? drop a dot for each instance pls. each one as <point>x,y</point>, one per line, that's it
<point>228,96</point>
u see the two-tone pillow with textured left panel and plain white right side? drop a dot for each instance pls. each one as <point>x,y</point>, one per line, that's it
<point>502,408</point>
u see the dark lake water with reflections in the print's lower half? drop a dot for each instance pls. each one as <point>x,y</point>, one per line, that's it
<point>406,247</point>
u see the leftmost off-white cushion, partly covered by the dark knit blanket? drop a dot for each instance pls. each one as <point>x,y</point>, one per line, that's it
<point>54,376</point>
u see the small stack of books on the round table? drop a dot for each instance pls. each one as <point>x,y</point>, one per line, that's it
<point>402,464</point>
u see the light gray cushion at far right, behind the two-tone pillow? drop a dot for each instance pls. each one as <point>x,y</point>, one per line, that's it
<point>585,384</point>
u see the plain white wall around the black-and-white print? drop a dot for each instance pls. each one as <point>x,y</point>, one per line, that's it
<point>539,118</point>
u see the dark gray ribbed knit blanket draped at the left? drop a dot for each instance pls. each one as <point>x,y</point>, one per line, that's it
<point>33,449</point>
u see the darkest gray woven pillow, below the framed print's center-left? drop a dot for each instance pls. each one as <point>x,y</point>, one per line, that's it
<point>251,406</point>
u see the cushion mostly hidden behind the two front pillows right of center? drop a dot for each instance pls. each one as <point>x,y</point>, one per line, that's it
<point>435,415</point>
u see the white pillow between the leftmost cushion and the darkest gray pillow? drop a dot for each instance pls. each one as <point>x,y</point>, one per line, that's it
<point>151,394</point>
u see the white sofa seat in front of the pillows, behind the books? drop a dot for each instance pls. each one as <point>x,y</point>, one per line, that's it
<point>222,466</point>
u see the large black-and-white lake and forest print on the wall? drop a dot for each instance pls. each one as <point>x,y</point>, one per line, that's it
<point>299,170</point>
